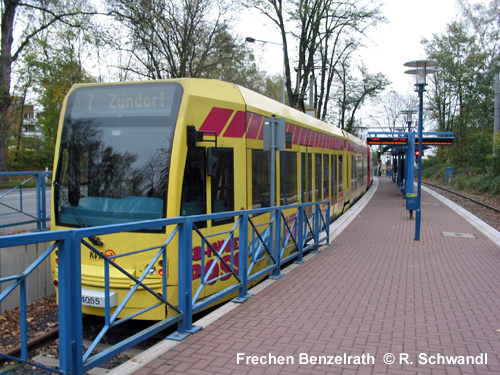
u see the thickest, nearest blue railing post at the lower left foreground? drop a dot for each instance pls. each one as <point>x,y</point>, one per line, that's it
<point>70,305</point>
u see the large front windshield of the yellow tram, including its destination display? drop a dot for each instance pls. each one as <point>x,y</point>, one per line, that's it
<point>115,154</point>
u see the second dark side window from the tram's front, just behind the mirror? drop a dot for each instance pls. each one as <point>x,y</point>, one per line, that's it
<point>223,184</point>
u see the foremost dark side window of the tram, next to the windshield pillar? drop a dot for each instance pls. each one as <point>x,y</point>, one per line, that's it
<point>193,201</point>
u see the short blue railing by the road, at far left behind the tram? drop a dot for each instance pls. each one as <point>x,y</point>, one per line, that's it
<point>40,215</point>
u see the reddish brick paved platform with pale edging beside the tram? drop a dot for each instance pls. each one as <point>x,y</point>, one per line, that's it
<point>374,295</point>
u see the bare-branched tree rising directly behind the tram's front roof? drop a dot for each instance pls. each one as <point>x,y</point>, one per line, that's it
<point>172,39</point>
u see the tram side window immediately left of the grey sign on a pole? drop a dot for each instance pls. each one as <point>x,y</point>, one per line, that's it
<point>260,179</point>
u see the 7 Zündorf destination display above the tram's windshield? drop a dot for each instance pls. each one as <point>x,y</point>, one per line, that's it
<point>124,100</point>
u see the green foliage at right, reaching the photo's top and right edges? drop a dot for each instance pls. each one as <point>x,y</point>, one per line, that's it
<point>461,94</point>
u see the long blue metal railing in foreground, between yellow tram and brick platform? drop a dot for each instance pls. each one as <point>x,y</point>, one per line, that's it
<point>289,228</point>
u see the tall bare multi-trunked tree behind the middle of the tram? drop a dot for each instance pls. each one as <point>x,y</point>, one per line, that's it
<point>326,31</point>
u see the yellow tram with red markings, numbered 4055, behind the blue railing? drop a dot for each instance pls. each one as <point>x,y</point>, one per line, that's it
<point>131,151</point>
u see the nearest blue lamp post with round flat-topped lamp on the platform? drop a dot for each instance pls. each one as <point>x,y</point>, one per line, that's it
<point>421,68</point>
